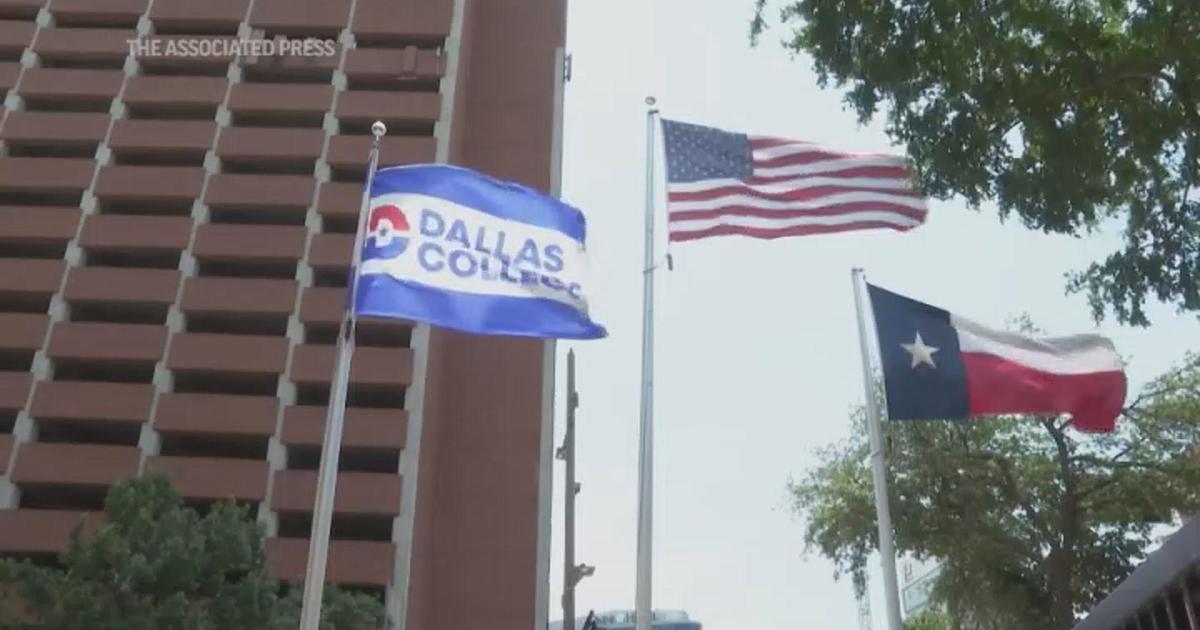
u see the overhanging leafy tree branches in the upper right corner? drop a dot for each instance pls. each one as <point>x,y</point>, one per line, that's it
<point>1064,113</point>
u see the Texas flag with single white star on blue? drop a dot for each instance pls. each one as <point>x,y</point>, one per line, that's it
<point>940,367</point>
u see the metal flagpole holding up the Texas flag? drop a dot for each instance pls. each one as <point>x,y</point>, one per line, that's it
<point>879,466</point>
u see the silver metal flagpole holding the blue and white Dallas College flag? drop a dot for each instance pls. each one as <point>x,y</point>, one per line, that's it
<point>335,416</point>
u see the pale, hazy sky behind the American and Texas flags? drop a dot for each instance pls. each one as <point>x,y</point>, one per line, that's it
<point>758,356</point>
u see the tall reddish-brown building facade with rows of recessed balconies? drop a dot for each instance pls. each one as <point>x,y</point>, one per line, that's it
<point>176,229</point>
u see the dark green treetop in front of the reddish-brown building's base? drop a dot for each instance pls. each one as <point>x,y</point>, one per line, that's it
<point>155,565</point>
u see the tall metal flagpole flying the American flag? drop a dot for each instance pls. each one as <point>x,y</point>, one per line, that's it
<point>646,441</point>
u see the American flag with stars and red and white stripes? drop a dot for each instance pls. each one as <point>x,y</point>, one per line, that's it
<point>722,183</point>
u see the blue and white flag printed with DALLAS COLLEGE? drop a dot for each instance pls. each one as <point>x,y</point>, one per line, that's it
<point>460,250</point>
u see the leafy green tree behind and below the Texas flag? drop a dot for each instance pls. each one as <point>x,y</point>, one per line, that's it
<point>1033,521</point>
